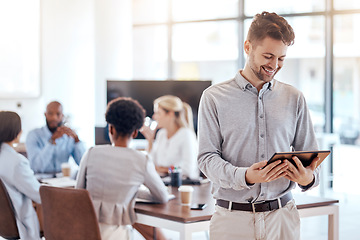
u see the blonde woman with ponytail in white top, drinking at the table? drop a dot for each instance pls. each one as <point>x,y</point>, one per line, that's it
<point>175,143</point>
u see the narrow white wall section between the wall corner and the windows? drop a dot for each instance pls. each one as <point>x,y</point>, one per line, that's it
<point>113,52</point>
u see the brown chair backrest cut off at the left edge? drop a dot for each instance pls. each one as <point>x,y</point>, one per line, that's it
<point>8,227</point>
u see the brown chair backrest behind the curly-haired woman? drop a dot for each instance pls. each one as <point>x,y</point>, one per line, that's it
<point>68,214</point>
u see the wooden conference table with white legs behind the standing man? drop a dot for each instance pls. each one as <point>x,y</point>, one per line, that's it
<point>174,216</point>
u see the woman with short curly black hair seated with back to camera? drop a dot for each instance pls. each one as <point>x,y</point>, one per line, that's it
<point>113,173</point>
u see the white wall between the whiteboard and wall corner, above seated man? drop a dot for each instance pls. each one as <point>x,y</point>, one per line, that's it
<point>68,60</point>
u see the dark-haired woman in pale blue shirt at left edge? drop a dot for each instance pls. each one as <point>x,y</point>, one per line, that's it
<point>18,178</point>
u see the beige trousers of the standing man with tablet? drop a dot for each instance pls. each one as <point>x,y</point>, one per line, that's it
<point>281,224</point>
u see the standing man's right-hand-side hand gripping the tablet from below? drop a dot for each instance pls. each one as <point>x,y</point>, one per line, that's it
<point>300,174</point>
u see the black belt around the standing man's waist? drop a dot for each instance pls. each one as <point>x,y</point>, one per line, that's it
<point>256,206</point>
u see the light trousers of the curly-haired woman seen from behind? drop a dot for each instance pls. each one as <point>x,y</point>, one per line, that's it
<point>114,232</point>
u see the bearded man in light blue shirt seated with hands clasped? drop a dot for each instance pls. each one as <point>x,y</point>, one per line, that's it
<point>50,146</point>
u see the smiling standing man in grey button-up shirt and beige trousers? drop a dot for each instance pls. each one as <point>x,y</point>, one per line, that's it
<point>242,123</point>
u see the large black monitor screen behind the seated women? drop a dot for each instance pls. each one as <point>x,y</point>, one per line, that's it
<point>146,91</point>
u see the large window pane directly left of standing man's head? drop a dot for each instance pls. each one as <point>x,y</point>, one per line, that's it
<point>206,50</point>
